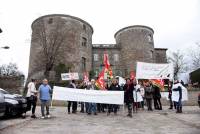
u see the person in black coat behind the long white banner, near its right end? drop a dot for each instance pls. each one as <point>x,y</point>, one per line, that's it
<point>113,87</point>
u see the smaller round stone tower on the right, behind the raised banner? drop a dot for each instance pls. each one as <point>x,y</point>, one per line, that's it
<point>136,45</point>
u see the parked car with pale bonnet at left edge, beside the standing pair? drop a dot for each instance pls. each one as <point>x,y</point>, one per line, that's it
<point>15,104</point>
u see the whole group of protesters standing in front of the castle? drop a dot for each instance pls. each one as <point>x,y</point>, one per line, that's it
<point>136,95</point>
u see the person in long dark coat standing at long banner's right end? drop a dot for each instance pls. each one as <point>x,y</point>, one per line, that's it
<point>128,91</point>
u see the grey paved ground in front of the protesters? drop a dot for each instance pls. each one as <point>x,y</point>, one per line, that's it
<point>143,122</point>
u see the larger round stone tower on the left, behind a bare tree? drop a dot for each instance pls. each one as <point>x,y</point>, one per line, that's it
<point>68,39</point>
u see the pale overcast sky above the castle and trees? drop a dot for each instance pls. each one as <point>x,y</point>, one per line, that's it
<point>176,22</point>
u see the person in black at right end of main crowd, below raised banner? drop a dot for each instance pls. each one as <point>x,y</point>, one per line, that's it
<point>156,97</point>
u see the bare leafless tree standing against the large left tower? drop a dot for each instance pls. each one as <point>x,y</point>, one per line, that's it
<point>51,38</point>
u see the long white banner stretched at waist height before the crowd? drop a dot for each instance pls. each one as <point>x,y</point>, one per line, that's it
<point>82,95</point>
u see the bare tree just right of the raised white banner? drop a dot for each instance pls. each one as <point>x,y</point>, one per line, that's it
<point>178,61</point>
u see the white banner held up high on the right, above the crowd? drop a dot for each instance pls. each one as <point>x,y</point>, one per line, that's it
<point>154,71</point>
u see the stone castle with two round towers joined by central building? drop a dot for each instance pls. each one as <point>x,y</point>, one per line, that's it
<point>133,43</point>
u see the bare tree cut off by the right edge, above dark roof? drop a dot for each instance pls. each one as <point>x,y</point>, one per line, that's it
<point>195,56</point>
